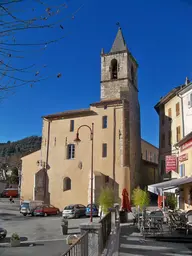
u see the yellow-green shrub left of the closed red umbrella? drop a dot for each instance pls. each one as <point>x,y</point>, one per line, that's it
<point>106,199</point>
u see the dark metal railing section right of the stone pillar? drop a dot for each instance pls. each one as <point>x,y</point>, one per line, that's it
<point>106,228</point>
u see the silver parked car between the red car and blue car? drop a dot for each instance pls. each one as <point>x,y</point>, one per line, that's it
<point>74,211</point>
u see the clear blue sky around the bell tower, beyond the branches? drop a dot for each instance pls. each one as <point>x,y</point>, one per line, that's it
<point>158,33</point>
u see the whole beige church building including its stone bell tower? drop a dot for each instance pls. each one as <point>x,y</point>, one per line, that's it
<point>60,173</point>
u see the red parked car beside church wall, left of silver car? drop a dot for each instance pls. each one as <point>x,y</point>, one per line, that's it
<point>45,210</point>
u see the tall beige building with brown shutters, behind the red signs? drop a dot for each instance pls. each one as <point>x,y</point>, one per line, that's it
<point>169,109</point>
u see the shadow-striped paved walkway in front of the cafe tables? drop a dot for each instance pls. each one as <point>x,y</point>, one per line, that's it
<point>132,243</point>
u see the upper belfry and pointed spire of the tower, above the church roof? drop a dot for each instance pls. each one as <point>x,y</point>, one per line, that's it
<point>118,70</point>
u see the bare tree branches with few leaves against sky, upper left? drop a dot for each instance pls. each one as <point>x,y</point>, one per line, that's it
<point>18,18</point>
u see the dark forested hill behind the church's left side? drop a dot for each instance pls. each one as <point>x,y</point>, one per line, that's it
<point>11,152</point>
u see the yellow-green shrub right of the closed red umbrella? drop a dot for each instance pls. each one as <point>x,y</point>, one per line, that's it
<point>140,198</point>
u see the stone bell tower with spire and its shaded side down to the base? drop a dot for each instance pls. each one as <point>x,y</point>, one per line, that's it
<point>119,81</point>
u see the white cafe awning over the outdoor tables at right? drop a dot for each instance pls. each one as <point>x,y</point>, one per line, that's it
<point>168,186</point>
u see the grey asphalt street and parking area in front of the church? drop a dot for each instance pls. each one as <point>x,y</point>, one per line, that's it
<point>39,235</point>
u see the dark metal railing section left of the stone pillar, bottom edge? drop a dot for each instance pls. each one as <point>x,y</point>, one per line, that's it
<point>79,248</point>
